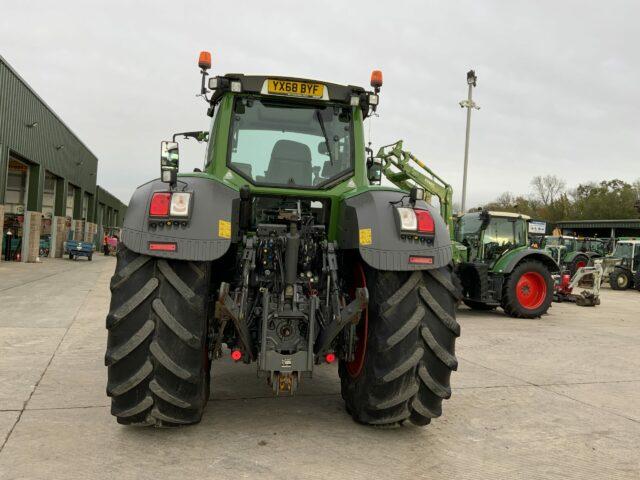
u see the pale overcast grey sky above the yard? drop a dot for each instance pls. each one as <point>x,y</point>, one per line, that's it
<point>558,81</point>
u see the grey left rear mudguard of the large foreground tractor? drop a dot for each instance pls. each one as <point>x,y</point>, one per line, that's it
<point>210,228</point>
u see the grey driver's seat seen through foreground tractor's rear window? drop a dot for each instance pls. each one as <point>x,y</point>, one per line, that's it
<point>290,164</point>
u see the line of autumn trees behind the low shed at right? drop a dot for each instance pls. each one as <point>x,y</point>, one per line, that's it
<point>551,200</point>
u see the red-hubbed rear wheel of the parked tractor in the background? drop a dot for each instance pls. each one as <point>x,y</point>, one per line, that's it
<point>528,290</point>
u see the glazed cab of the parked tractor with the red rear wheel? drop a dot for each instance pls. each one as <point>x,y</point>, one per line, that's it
<point>489,235</point>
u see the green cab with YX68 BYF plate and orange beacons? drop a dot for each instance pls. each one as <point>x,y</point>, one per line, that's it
<point>294,147</point>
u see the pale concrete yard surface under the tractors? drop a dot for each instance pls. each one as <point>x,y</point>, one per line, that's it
<point>557,397</point>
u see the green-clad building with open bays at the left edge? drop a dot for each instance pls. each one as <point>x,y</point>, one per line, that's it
<point>48,190</point>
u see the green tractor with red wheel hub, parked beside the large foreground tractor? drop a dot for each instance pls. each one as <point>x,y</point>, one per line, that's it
<point>500,269</point>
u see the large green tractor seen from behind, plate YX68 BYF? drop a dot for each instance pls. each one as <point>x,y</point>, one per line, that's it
<point>284,252</point>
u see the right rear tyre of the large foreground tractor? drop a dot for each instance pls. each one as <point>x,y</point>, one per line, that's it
<point>406,348</point>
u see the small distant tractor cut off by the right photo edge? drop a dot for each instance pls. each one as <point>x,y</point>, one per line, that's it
<point>621,268</point>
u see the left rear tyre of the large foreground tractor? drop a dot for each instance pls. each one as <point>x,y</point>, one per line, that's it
<point>157,359</point>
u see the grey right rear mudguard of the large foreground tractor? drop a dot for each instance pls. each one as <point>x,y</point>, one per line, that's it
<point>383,248</point>
